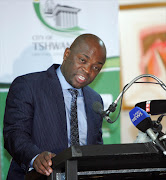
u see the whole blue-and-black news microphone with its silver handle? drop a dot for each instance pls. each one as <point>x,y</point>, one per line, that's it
<point>142,121</point>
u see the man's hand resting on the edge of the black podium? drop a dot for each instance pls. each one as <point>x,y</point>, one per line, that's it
<point>43,162</point>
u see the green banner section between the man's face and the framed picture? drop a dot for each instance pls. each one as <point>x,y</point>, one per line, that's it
<point>107,82</point>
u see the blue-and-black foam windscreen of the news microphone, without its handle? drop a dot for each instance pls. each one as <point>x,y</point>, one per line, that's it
<point>140,119</point>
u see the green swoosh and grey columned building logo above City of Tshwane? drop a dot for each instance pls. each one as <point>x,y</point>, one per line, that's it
<point>57,17</point>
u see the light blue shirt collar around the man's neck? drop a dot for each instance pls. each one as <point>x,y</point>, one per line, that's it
<point>64,84</point>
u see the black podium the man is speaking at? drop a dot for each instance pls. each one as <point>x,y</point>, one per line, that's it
<point>116,161</point>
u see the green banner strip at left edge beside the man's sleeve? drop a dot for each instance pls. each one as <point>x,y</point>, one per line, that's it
<point>5,157</point>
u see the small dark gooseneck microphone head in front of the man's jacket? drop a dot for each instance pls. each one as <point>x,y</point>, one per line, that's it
<point>98,108</point>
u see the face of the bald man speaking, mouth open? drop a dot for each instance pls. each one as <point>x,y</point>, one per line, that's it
<point>82,64</point>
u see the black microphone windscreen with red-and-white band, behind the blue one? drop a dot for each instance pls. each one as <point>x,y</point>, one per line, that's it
<point>153,107</point>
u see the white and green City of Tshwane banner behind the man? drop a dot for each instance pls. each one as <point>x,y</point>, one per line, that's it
<point>34,35</point>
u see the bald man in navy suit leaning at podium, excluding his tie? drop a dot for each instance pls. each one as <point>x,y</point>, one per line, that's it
<point>37,118</point>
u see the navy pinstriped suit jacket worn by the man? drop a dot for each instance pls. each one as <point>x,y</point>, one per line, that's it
<point>35,119</point>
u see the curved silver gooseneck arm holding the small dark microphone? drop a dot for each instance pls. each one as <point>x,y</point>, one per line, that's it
<point>113,106</point>
